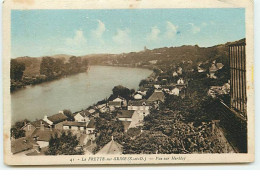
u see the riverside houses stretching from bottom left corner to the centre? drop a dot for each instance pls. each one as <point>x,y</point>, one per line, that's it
<point>39,132</point>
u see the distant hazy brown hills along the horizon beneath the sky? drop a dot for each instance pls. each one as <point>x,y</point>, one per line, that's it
<point>162,56</point>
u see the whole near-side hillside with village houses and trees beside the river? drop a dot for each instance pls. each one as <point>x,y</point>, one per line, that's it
<point>171,112</point>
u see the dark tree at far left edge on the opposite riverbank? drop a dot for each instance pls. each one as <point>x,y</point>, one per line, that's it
<point>16,70</point>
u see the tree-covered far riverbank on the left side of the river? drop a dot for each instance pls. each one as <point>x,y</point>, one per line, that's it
<point>50,68</point>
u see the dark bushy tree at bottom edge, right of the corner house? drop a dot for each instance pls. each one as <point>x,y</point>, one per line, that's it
<point>66,144</point>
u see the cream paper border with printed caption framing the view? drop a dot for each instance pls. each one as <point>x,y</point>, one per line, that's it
<point>10,159</point>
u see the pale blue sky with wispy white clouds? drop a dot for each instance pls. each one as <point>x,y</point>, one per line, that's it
<point>80,32</point>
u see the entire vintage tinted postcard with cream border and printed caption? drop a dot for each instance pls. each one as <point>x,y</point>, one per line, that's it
<point>128,82</point>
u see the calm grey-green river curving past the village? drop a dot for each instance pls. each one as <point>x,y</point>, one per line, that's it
<point>74,92</point>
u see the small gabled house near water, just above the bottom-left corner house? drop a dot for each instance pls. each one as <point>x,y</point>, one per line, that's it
<point>31,126</point>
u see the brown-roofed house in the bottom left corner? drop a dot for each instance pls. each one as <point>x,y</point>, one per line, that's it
<point>23,145</point>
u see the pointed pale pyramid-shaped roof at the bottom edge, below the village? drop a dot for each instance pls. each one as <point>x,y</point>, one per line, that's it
<point>112,148</point>
